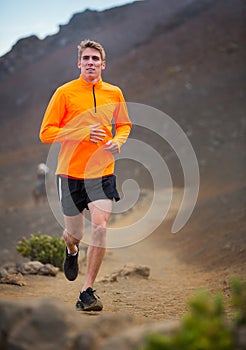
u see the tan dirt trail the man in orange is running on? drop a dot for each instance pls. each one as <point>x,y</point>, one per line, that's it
<point>162,296</point>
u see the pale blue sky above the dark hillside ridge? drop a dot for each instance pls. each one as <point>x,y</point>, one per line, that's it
<point>21,18</point>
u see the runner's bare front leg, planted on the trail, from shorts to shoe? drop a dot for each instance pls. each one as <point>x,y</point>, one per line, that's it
<point>100,211</point>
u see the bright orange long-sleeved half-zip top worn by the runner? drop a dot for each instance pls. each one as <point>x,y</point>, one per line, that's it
<point>72,109</point>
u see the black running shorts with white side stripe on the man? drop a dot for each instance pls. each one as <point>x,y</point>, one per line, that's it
<point>75,194</point>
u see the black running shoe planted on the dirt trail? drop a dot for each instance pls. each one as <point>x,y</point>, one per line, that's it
<point>88,301</point>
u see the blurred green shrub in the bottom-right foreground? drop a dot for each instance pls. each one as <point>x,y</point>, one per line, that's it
<point>204,327</point>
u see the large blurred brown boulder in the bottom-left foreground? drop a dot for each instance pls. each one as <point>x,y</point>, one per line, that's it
<point>40,324</point>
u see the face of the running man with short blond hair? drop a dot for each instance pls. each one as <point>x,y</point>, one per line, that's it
<point>91,65</point>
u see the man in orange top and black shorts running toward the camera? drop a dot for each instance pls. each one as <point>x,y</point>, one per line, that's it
<point>79,116</point>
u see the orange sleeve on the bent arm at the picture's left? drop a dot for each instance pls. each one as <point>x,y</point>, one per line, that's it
<point>52,128</point>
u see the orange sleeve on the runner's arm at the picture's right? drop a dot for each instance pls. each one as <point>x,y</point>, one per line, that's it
<point>122,122</point>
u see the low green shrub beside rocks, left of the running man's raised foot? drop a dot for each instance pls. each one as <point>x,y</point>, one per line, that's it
<point>44,248</point>
